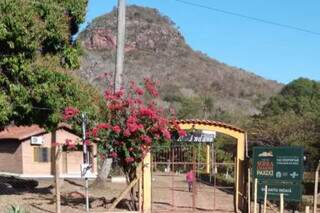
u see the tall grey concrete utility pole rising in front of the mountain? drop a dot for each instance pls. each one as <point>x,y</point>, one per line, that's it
<point>120,44</point>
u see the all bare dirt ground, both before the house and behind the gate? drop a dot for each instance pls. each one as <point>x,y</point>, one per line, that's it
<point>169,194</point>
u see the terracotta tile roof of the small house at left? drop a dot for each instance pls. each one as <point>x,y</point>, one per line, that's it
<point>23,132</point>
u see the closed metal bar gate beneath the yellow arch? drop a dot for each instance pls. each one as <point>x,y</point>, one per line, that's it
<point>211,189</point>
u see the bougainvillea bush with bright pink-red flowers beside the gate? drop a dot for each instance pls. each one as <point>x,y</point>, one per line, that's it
<point>134,122</point>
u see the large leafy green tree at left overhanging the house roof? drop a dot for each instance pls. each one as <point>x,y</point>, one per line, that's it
<point>37,57</point>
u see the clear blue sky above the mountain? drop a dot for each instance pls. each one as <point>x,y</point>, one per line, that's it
<point>270,51</point>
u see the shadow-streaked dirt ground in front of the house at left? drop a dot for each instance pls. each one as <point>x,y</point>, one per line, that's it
<point>41,199</point>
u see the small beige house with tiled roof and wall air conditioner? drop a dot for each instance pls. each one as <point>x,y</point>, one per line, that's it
<point>28,151</point>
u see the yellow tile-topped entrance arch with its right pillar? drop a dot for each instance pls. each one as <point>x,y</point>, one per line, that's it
<point>240,186</point>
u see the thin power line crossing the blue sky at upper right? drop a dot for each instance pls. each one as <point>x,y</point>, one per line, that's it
<point>250,17</point>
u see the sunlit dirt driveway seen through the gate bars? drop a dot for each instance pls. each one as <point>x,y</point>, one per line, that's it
<point>204,199</point>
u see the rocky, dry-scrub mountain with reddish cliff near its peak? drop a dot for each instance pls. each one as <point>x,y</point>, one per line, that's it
<point>155,48</point>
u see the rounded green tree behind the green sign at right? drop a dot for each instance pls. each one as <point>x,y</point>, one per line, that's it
<point>291,118</point>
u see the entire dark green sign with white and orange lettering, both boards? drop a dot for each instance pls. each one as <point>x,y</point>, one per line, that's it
<point>281,168</point>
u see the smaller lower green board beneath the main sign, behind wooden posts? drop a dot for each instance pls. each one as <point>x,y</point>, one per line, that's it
<point>290,191</point>
